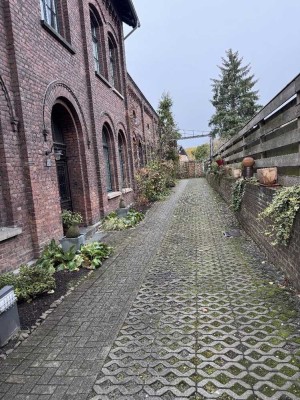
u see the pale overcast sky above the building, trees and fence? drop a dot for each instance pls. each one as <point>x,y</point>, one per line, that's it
<point>180,43</point>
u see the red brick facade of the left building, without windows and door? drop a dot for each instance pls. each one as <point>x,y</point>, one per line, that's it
<point>38,71</point>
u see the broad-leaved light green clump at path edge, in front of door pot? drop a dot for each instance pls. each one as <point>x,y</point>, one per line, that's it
<point>94,253</point>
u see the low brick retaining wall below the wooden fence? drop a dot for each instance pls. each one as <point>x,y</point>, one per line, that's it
<point>255,200</point>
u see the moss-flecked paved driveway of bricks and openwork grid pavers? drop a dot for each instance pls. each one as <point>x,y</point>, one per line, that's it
<point>179,312</point>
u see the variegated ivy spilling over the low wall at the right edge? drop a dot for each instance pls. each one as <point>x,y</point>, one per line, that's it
<point>282,212</point>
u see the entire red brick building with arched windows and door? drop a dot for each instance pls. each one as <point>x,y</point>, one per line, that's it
<point>73,124</point>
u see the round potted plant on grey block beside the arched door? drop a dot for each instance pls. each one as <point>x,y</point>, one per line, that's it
<point>73,237</point>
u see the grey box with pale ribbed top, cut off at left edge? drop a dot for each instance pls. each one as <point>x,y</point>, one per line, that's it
<point>9,316</point>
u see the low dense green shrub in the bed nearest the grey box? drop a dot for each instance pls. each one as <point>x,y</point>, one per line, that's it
<point>29,282</point>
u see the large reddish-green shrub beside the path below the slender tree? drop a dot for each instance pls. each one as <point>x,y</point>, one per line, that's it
<point>154,180</point>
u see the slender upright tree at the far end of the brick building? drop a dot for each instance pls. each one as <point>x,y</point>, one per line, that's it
<point>168,131</point>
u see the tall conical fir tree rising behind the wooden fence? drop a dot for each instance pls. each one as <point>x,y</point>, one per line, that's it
<point>234,99</point>
